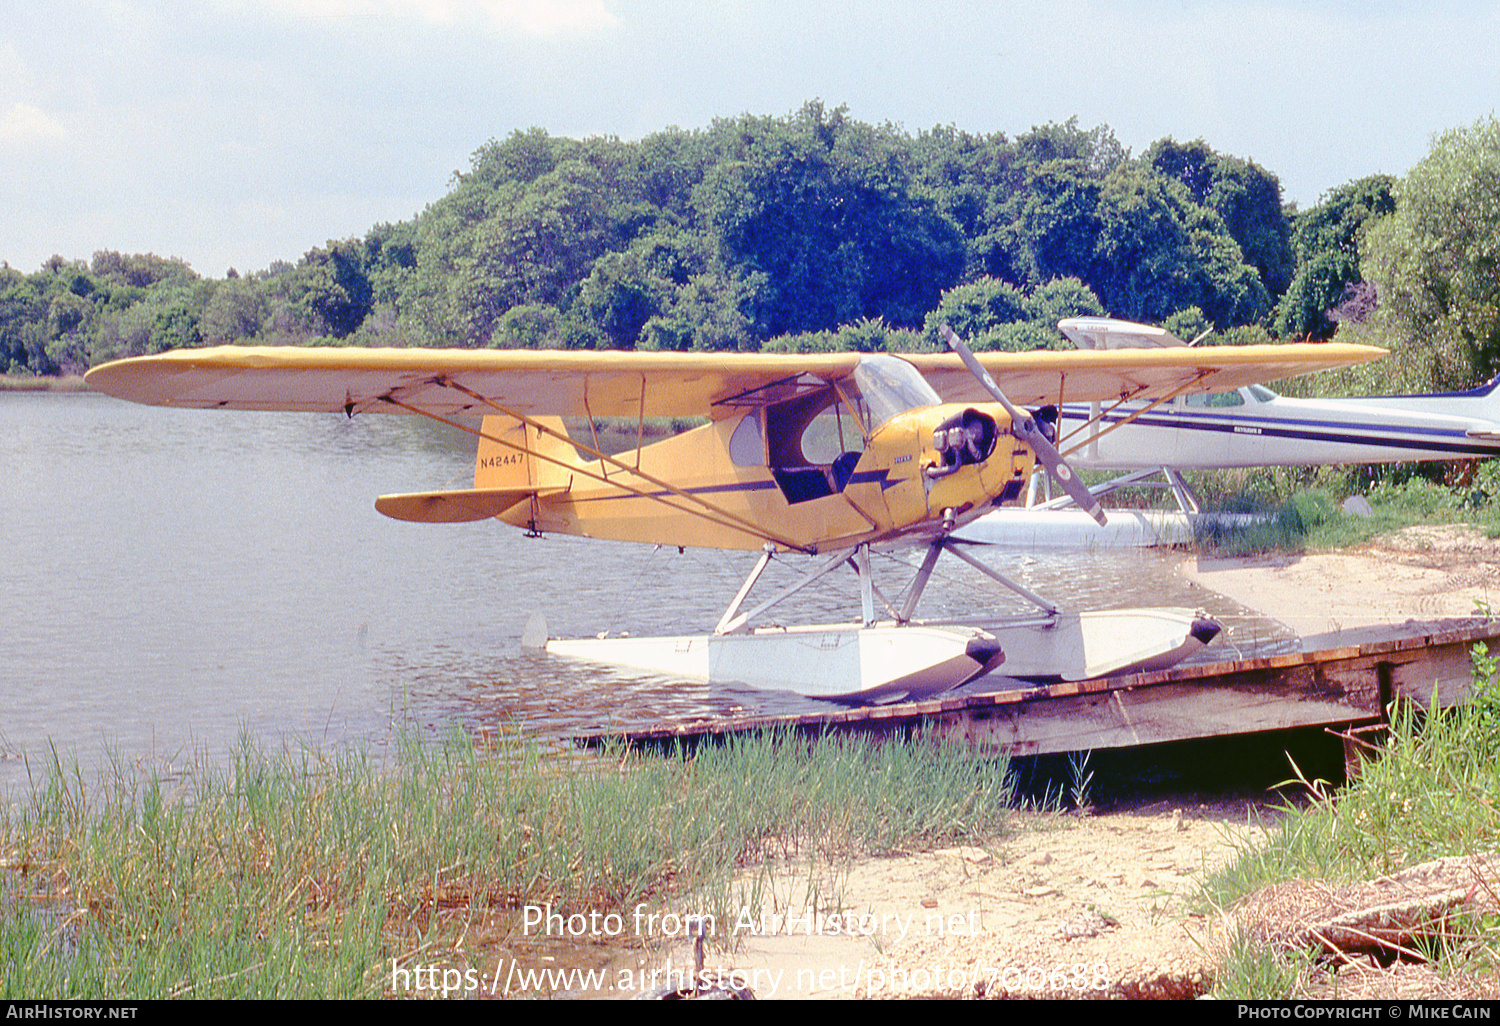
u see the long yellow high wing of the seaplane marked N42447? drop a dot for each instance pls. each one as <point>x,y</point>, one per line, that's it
<point>658,385</point>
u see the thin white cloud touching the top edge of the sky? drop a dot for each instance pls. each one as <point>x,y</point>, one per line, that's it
<point>530,17</point>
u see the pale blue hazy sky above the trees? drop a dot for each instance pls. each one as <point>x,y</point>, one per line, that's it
<point>241,133</point>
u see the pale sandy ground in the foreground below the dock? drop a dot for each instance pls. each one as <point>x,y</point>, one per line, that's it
<point>1066,907</point>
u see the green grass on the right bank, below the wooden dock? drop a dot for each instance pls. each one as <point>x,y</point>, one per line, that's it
<point>1433,791</point>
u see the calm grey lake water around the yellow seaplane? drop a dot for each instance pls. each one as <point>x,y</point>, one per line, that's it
<point>173,580</point>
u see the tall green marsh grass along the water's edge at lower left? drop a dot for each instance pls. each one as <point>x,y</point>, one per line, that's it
<point>302,875</point>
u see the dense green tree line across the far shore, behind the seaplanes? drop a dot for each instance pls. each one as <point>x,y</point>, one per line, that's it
<point>817,232</point>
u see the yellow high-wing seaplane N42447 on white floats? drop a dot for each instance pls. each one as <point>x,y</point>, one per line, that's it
<point>835,457</point>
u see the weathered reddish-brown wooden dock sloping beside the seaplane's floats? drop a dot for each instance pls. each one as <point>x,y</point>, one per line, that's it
<point>1348,686</point>
